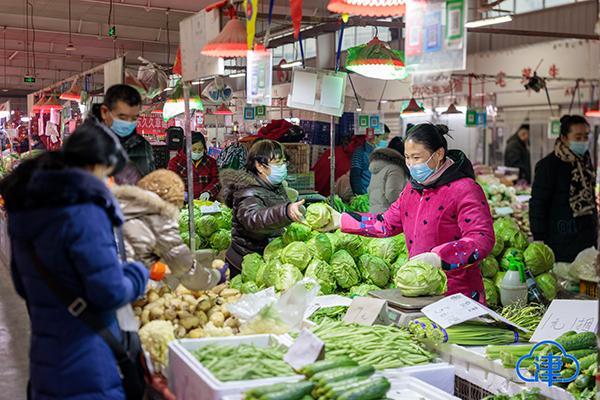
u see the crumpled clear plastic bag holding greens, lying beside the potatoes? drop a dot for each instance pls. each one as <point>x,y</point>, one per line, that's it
<point>264,312</point>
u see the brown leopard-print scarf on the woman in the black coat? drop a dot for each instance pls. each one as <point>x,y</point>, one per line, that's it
<point>581,193</point>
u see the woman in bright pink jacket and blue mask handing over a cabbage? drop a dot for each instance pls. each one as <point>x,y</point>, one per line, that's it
<point>442,211</point>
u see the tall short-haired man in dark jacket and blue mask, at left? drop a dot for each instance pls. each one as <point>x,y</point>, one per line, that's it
<point>120,111</point>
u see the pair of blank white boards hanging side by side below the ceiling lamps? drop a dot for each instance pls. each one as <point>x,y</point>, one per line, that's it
<point>318,90</point>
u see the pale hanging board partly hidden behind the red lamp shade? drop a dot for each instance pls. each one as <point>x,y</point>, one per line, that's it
<point>194,33</point>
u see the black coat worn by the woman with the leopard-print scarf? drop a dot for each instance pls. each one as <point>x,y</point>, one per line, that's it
<point>550,215</point>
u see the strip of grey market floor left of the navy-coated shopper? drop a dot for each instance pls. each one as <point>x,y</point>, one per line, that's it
<point>14,340</point>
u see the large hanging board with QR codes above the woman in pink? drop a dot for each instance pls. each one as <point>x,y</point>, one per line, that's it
<point>435,36</point>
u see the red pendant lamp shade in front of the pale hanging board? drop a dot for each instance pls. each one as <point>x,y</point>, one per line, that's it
<point>230,42</point>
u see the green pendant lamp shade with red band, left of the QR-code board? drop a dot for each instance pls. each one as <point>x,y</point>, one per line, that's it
<point>377,60</point>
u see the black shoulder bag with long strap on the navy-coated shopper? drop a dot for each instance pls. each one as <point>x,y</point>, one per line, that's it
<point>128,352</point>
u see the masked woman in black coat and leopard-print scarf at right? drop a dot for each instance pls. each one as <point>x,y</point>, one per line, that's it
<point>563,210</point>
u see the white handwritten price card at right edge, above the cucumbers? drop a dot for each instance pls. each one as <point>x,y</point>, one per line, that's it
<point>567,315</point>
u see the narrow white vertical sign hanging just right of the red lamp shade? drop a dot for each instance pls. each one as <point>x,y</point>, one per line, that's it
<point>259,76</point>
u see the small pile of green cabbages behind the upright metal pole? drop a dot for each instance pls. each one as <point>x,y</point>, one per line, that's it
<point>211,231</point>
